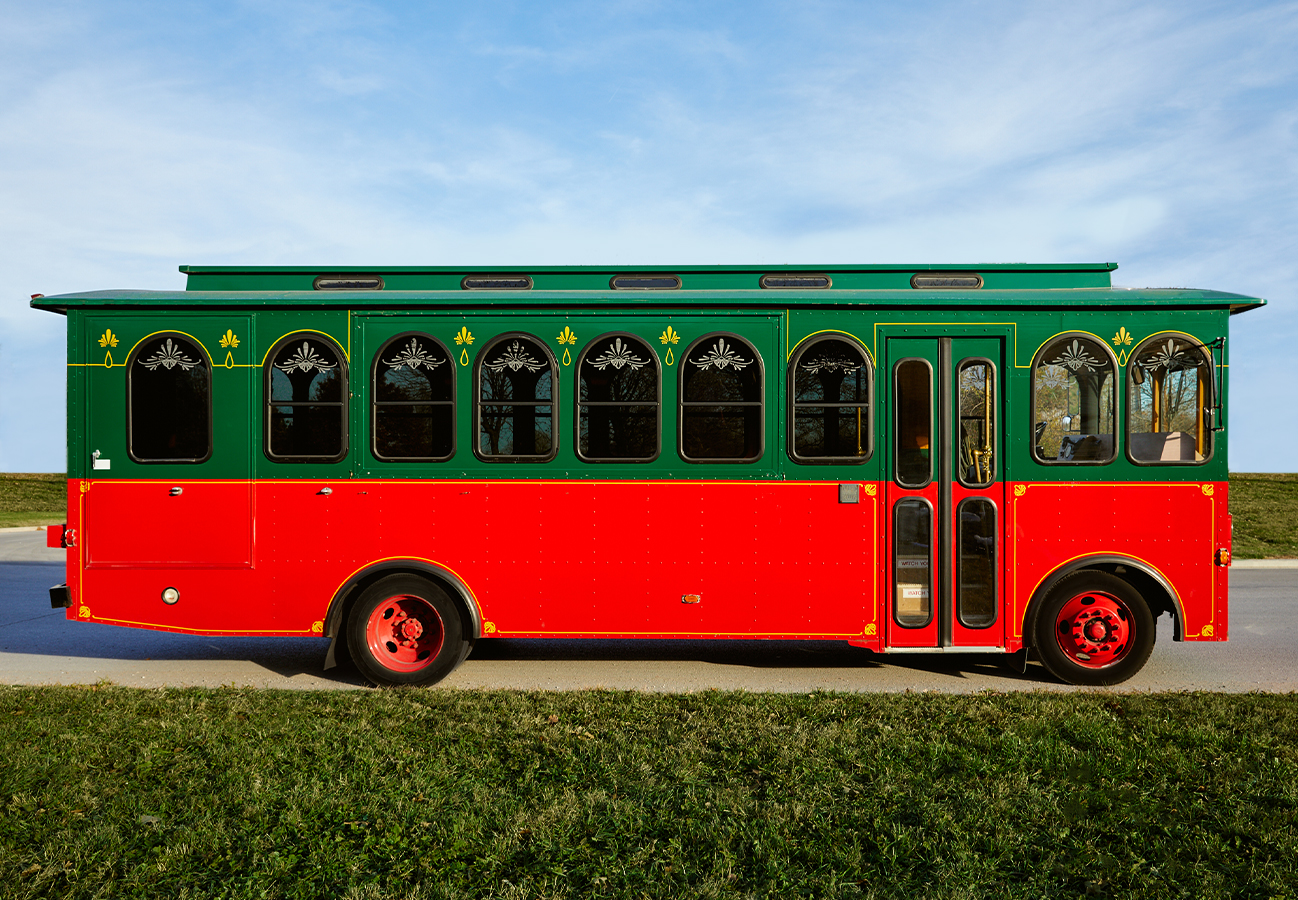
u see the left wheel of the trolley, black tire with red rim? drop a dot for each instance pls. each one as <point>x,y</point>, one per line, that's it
<point>407,631</point>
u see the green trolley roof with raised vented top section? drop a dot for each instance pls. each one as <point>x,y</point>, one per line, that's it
<point>986,285</point>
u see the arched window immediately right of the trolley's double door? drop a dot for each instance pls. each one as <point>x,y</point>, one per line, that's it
<point>1074,390</point>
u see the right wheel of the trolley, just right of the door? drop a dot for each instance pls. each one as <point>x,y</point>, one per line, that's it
<point>1094,629</point>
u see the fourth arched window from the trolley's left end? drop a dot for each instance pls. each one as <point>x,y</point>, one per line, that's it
<point>516,401</point>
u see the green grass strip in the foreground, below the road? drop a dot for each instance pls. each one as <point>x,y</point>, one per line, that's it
<point>458,794</point>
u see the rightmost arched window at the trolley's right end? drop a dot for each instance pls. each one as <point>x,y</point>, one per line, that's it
<point>1170,394</point>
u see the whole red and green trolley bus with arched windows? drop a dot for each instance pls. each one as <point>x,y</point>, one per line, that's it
<point>1001,459</point>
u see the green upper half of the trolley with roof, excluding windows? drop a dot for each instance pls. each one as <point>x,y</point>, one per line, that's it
<point>236,316</point>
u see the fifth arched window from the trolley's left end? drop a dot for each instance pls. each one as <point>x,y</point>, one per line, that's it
<point>618,401</point>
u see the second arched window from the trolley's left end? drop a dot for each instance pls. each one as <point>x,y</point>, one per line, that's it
<point>306,401</point>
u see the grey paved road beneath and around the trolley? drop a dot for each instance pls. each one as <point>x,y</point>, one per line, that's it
<point>38,646</point>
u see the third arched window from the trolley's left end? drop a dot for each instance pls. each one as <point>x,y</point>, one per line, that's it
<point>413,401</point>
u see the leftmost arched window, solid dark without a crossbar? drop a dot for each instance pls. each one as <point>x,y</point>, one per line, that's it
<point>169,401</point>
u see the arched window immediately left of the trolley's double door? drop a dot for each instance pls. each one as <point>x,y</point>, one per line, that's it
<point>831,397</point>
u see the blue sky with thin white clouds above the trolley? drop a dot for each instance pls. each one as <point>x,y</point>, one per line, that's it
<point>136,137</point>
